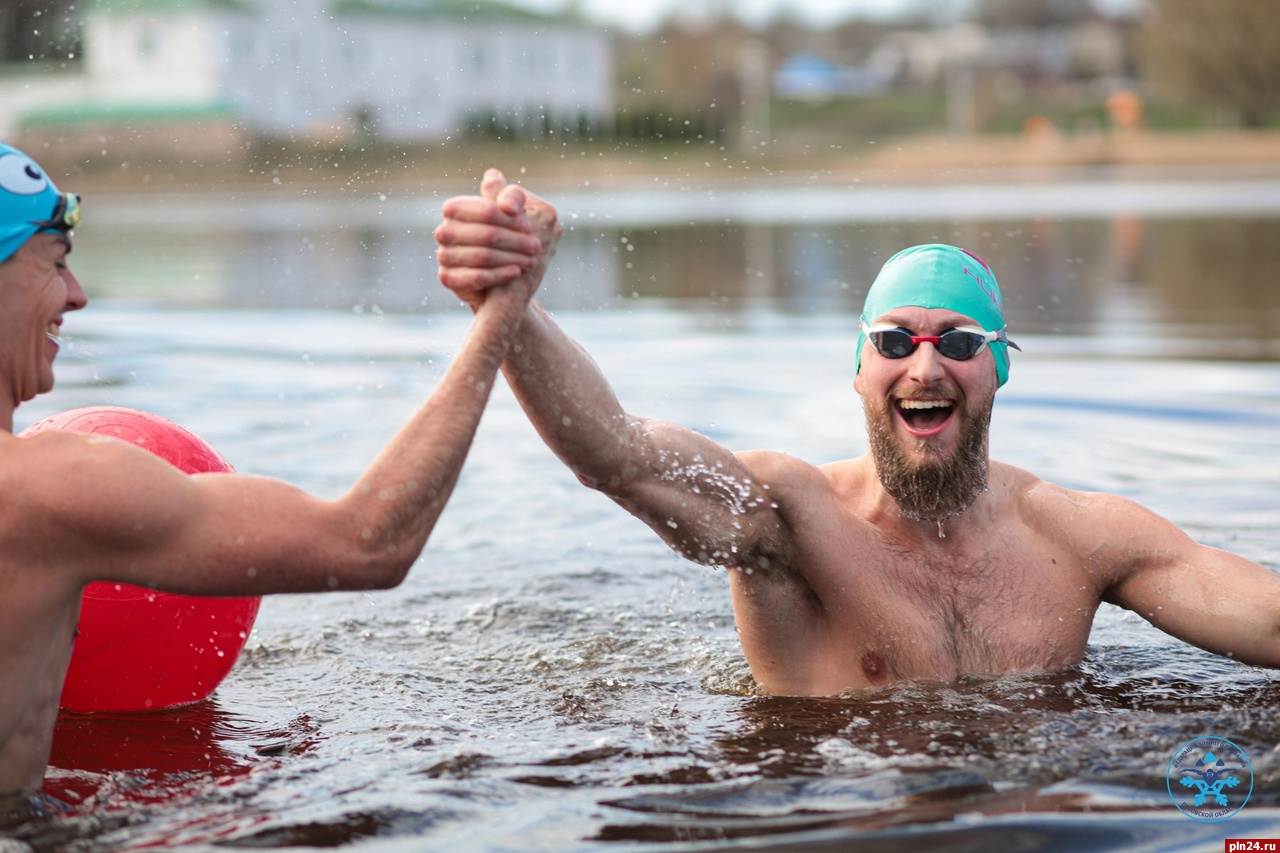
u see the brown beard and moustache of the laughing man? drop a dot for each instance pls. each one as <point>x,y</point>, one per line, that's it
<point>938,489</point>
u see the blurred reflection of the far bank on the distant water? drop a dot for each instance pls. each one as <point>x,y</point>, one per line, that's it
<point>1204,282</point>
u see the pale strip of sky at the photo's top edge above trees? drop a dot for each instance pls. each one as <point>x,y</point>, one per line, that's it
<point>644,15</point>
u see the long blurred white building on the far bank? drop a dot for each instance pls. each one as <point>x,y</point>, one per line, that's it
<point>404,71</point>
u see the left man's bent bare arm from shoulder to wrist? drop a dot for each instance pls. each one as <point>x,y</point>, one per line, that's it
<point>103,509</point>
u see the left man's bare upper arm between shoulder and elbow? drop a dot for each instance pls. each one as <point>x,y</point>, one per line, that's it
<point>130,517</point>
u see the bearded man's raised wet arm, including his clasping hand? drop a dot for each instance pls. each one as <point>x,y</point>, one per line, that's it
<point>698,496</point>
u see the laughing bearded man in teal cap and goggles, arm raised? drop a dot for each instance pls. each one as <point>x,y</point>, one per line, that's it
<point>924,559</point>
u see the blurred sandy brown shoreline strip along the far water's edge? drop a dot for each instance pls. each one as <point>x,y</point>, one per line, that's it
<point>591,168</point>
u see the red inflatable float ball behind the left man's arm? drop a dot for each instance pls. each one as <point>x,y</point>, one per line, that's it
<point>138,649</point>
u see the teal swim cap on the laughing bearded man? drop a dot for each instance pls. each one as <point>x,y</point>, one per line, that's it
<point>938,276</point>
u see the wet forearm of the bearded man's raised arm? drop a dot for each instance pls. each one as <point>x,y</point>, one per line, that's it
<point>572,404</point>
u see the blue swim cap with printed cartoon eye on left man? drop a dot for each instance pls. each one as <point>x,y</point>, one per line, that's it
<point>30,203</point>
